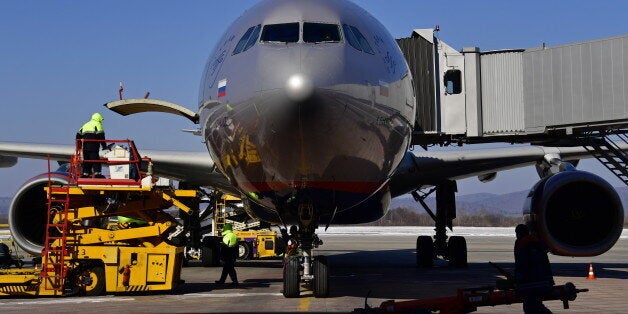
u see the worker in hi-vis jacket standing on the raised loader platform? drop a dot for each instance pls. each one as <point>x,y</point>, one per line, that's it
<point>92,130</point>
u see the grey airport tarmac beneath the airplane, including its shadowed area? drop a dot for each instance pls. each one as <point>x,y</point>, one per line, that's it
<point>380,260</point>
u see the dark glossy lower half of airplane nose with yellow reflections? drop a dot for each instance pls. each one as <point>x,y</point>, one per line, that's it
<point>334,148</point>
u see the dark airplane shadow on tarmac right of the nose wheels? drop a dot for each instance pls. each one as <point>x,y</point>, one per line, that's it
<point>392,274</point>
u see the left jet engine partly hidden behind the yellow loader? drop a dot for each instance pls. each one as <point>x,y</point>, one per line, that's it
<point>29,210</point>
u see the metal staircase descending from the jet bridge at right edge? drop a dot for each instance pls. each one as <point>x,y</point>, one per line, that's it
<point>608,152</point>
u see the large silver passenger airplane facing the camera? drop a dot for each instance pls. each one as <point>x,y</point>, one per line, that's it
<point>307,110</point>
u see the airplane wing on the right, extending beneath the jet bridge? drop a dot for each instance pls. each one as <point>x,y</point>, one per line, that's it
<point>425,168</point>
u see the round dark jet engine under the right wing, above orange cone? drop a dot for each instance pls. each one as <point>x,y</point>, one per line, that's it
<point>575,213</point>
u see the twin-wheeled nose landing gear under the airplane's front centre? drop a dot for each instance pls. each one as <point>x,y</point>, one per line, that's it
<point>302,267</point>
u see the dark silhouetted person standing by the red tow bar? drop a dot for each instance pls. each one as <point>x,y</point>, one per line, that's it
<point>533,273</point>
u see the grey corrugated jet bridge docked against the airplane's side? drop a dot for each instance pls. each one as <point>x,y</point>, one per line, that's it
<point>517,95</point>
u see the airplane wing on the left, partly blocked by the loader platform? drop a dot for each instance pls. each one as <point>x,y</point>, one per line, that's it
<point>192,167</point>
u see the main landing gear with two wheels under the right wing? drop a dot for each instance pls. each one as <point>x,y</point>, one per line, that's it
<point>427,248</point>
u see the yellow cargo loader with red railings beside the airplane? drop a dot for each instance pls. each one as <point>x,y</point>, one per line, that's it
<point>83,253</point>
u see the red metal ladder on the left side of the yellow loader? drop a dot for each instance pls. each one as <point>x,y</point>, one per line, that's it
<point>55,249</point>
